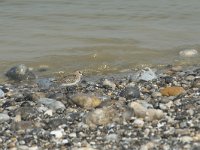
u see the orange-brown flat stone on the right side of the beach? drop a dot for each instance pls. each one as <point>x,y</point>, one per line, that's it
<point>172,91</point>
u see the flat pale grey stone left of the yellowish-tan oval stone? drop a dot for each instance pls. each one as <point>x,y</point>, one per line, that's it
<point>52,104</point>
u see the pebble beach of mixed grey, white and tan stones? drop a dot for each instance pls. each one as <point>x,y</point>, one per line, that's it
<point>142,109</point>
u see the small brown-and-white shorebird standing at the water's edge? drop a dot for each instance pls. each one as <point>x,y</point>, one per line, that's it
<point>71,79</point>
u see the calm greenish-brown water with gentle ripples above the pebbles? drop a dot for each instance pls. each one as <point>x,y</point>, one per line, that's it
<point>97,34</point>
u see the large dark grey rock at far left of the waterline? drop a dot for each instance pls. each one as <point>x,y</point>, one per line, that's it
<point>20,72</point>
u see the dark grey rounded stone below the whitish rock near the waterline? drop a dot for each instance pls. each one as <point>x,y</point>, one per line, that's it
<point>130,92</point>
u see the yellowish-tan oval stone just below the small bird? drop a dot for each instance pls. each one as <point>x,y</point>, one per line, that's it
<point>86,101</point>
